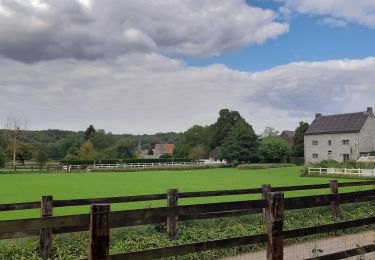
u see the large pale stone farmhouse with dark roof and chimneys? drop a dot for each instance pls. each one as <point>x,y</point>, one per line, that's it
<point>340,137</point>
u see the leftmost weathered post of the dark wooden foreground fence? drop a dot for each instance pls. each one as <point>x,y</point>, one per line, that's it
<point>45,235</point>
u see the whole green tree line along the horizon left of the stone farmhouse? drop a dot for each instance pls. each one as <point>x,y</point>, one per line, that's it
<point>230,138</point>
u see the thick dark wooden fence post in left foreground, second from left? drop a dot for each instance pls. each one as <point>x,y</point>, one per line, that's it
<point>99,232</point>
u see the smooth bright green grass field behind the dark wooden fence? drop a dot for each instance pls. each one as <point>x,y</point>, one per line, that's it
<point>30,187</point>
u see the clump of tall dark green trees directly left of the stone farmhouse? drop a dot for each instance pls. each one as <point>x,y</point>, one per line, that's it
<point>234,139</point>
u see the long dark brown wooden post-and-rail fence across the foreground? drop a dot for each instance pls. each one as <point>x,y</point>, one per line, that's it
<point>101,219</point>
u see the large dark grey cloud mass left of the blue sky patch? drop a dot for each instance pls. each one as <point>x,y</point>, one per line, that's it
<point>36,30</point>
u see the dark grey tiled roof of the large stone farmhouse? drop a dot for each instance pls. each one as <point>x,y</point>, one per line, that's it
<point>338,124</point>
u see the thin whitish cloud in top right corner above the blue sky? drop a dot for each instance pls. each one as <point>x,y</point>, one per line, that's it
<point>360,12</point>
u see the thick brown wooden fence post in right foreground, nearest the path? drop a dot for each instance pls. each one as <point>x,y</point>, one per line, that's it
<point>275,216</point>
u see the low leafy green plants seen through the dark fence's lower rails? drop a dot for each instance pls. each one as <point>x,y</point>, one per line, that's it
<point>73,246</point>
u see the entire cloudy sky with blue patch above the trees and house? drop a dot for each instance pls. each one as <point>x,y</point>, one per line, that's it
<point>141,66</point>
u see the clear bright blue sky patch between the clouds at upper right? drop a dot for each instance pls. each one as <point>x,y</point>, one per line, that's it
<point>307,40</point>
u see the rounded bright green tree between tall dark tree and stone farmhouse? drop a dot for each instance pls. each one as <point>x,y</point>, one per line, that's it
<point>274,149</point>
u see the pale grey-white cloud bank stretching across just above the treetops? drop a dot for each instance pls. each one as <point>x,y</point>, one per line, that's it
<point>147,93</point>
